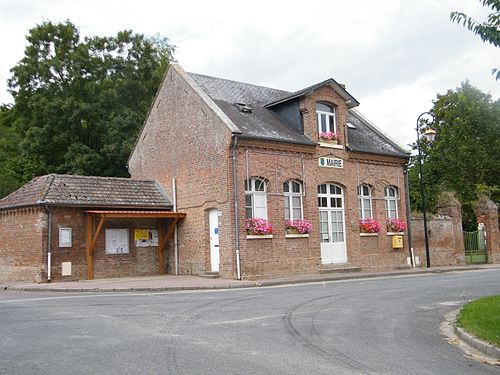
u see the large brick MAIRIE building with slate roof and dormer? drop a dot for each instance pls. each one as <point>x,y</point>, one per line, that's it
<point>230,151</point>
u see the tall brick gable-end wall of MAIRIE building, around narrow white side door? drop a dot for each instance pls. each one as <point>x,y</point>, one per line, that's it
<point>184,138</point>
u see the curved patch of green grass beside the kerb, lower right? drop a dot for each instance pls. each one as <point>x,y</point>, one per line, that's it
<point>482,318</point>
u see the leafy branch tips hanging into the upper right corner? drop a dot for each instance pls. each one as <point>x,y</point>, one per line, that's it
<point>488,31</point>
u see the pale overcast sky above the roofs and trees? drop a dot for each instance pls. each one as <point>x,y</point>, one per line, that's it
<point>395,56</point>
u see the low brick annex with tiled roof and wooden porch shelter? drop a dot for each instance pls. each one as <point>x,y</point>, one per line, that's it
<point>60,227</point>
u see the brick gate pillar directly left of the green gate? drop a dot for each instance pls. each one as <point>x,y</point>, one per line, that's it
<point>448,205</point>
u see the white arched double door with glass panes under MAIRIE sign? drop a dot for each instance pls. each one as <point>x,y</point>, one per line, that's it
<point>332,224</point>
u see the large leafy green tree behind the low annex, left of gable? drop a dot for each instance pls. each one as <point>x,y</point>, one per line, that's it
<point>78,103</point>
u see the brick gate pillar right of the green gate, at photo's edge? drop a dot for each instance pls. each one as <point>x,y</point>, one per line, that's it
<point>487,213</point>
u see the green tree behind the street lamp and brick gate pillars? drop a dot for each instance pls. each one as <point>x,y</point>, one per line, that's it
<point>464,157</point>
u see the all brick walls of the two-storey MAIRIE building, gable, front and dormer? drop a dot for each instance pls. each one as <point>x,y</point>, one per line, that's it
<point>184,138</point>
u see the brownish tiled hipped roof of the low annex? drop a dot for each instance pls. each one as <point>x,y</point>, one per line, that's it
<point>88,191</point>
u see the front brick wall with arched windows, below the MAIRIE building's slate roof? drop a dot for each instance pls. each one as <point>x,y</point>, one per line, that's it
<point>283,256</point>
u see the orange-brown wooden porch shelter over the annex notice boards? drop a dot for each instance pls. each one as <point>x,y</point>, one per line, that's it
<point>166,228</point>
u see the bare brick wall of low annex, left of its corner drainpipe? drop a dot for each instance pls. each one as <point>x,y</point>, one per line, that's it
<point>22,245</point>
